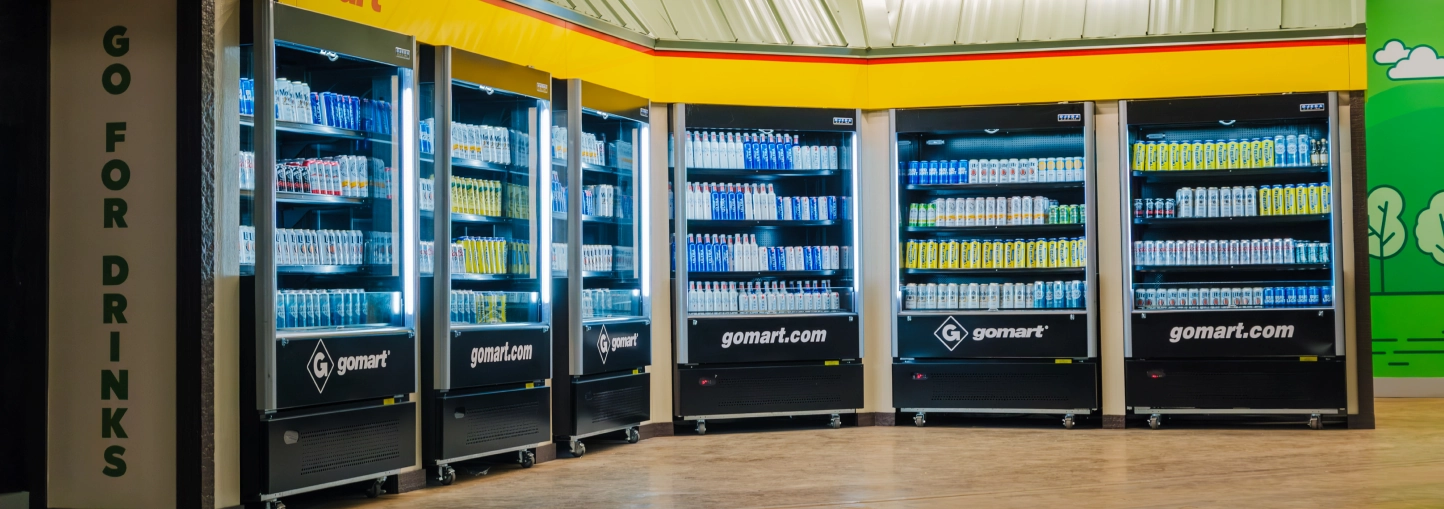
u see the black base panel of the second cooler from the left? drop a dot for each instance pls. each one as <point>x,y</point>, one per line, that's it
<point>480,423</point>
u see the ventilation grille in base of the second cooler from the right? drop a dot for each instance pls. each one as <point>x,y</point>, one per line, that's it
<point>997,388</point>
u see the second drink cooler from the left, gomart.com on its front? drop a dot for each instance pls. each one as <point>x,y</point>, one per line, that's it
<point>487,284</point>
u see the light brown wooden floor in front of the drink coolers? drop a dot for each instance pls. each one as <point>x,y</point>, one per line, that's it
<point>1400,465</point>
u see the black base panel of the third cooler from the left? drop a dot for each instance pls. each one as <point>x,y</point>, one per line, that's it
<point>609,403</point>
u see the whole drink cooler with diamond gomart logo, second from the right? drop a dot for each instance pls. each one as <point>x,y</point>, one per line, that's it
<point>996,262</point>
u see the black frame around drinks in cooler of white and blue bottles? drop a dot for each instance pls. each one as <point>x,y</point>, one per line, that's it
<point>716,378</point>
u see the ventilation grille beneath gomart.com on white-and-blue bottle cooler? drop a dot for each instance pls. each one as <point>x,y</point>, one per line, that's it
<point>762,391</point>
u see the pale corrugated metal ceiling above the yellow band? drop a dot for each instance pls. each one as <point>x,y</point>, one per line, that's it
<point>922,24</point>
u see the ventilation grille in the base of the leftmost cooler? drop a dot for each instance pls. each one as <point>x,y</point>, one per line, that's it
<point>350,446</point>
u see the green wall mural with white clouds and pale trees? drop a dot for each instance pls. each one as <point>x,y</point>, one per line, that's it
<point>1404,119</point>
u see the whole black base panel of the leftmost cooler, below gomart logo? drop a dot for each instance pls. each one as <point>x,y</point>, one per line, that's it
<point>305,450</point>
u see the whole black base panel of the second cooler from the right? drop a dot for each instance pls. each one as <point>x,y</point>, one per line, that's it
<point>1025,385</point>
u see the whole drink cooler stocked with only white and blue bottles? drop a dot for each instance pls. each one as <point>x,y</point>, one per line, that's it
<point>765,262</point>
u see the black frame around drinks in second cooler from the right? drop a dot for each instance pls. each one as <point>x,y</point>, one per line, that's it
<point>1053,367</point>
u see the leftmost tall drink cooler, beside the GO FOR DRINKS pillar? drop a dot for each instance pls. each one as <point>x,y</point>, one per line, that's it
<point>330,232</point>
